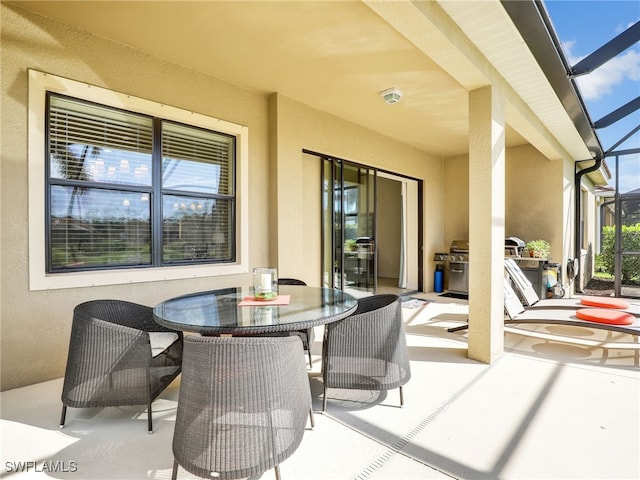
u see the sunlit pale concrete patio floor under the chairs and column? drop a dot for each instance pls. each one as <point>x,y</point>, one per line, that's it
<point>544,410</point>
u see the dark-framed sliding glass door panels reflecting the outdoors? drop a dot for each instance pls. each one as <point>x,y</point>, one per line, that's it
<point>348,217</point>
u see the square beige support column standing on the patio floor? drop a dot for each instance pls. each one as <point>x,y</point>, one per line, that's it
<point>486,223</point>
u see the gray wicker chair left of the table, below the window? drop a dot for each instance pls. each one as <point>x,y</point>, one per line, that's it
<point>118,355</point>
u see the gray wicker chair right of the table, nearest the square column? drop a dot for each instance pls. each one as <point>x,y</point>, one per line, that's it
<point>368,349</point>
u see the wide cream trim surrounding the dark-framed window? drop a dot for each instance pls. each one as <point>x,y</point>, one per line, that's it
<point>39,84</point>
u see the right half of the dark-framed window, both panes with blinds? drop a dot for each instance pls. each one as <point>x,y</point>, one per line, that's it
<point>197,183</point>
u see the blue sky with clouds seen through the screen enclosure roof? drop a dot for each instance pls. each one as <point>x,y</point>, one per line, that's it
<point>583,26</point>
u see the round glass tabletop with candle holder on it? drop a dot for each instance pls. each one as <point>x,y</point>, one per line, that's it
<point>218,312</point>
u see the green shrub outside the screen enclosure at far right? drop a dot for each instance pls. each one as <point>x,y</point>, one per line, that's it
<point>630,243</point>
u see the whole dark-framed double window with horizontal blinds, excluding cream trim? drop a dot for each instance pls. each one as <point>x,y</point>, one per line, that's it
<point>126,189</point>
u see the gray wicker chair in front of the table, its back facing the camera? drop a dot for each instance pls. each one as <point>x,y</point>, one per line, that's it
<point>243,405</point>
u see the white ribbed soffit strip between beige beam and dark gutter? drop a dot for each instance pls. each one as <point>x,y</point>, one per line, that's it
<point>507,52</point>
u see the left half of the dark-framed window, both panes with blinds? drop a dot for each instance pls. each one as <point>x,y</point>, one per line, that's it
<point>93,150</point>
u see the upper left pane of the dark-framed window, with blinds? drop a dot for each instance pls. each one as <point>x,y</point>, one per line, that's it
<point>93,143</point>
